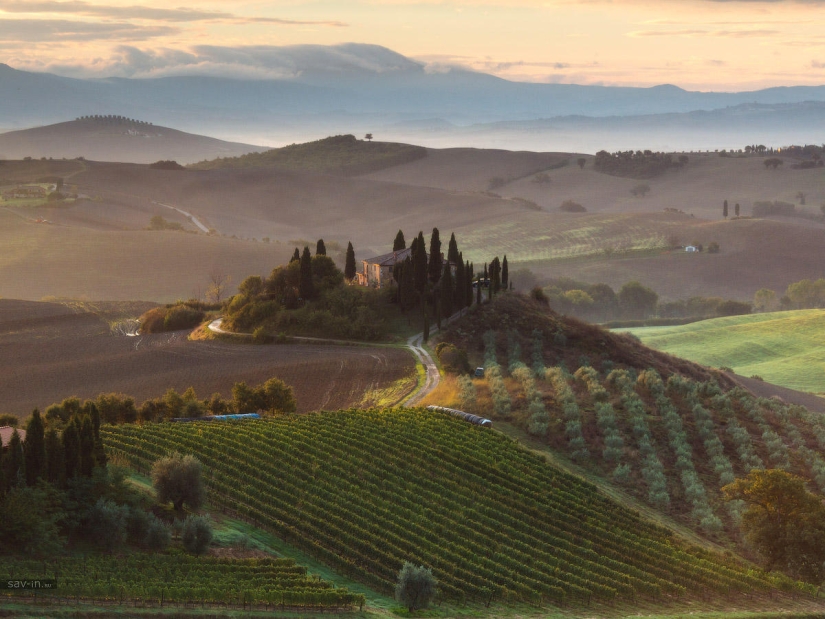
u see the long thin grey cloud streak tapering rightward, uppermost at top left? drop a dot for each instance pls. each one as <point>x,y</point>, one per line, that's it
<point>78,7</point>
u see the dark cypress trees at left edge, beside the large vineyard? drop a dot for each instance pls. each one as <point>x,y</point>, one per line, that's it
<point>53,457</point>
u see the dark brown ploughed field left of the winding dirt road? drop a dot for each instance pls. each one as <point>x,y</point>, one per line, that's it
<point>49,352</point>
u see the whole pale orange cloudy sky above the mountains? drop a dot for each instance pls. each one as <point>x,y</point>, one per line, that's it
<point>696,44</point>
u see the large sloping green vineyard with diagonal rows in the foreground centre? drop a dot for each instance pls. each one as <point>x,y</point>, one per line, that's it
<point>365,491</point>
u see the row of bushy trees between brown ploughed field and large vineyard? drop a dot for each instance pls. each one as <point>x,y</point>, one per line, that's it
<point>114,408</point>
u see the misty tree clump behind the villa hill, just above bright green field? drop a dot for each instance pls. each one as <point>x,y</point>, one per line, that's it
<point>600,303</point>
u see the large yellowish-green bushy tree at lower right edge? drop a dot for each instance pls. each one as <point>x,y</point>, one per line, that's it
<point>784,522</point>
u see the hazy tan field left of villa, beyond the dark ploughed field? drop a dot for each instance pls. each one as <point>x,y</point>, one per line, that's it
<point>41,260</point>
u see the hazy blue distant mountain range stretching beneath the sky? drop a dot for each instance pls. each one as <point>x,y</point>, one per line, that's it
<point>318,91</point>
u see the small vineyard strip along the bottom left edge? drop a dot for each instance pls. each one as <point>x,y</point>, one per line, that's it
<point>178,579</point>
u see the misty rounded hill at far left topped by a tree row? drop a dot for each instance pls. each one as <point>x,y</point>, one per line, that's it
<point>115,138</point>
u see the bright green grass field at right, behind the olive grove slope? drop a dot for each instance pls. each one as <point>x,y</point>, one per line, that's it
<point>785,348</point>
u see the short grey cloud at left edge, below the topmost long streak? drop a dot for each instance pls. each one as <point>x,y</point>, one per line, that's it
<point>56,30</point>
